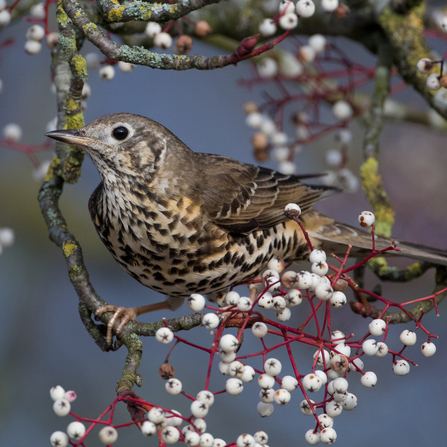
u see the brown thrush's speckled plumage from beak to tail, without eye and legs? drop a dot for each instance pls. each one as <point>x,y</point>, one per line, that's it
<point>182,222</point>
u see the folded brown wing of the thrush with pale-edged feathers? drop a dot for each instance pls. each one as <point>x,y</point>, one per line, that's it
<point>242,198</point>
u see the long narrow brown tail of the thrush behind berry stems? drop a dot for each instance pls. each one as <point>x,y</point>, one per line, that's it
<point>335,237</point>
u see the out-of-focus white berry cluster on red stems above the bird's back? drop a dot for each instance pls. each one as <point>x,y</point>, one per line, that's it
<point>314,67</point>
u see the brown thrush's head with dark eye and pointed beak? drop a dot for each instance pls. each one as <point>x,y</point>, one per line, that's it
<point>122,144</point>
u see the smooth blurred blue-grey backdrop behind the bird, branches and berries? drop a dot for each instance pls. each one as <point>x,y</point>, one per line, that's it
<point>43,342</point>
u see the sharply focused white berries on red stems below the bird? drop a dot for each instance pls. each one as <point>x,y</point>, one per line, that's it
<point>321,381</point>
